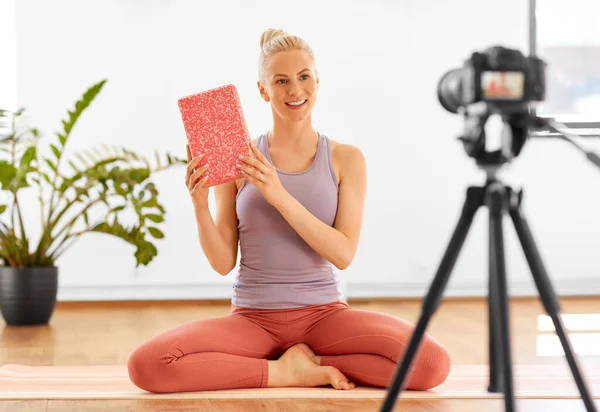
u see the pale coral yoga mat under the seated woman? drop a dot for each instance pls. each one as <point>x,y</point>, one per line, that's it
<point>112,382</point>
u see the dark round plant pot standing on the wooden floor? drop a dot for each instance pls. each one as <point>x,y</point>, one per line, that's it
<point>28,295</point>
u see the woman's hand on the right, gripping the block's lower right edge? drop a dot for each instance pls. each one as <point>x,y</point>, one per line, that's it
<point>263,175</point>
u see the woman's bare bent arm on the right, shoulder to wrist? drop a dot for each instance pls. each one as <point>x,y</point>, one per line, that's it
<point>337,244</point>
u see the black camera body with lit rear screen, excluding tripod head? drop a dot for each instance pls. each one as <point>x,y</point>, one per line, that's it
<point>503,78</point>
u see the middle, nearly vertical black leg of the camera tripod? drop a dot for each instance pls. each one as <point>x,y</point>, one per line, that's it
<point>497,203</point>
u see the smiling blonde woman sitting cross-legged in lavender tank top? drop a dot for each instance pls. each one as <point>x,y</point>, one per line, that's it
<point>297,215</point>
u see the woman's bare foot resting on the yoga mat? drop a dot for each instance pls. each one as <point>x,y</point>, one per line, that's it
<point>302,371</point>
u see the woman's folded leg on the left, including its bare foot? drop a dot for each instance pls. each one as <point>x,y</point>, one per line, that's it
<point>230,352</point>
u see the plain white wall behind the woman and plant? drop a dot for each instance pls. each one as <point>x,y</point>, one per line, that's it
<point>379,62</point>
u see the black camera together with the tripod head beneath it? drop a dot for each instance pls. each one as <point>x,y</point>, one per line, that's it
<point>496,81</point>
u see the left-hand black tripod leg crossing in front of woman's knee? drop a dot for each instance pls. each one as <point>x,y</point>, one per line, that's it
<point>432,300</point>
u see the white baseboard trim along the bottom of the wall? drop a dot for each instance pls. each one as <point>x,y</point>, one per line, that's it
<point>208,291</point>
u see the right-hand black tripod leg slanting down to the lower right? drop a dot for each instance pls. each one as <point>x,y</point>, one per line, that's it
<point>548,297</point>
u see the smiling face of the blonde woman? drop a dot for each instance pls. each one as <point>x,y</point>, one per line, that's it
<point>290,84</point>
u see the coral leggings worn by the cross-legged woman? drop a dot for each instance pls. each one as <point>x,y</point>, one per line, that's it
<point>231,352</point>
